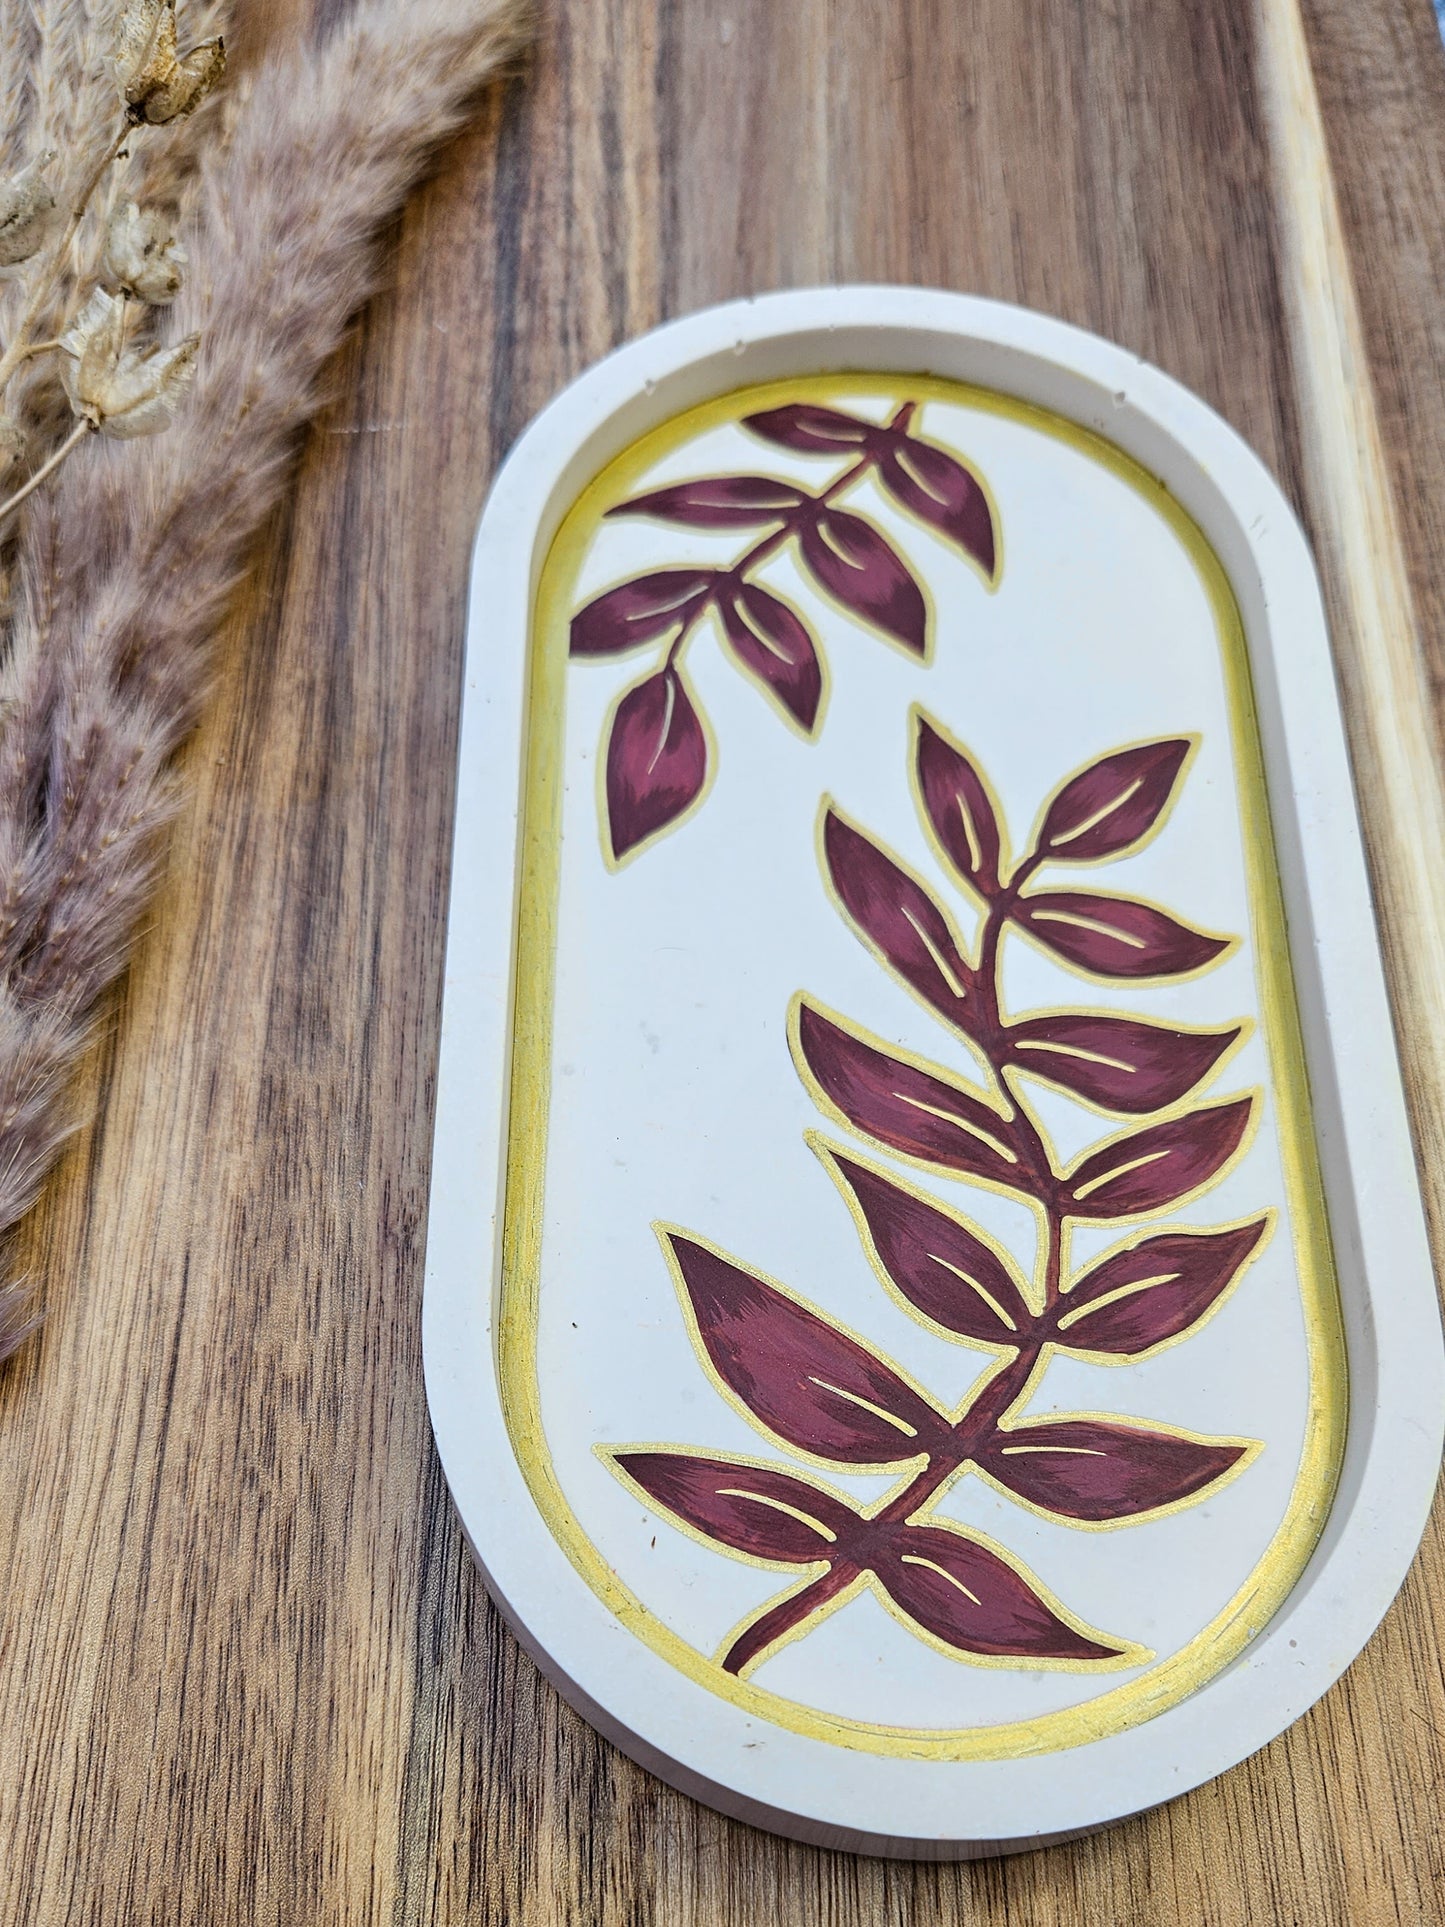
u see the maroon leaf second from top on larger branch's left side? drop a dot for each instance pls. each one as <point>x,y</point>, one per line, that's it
<point>899,918</point>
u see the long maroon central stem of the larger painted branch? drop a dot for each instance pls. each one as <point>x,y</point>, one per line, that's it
<point>1005,1388</point>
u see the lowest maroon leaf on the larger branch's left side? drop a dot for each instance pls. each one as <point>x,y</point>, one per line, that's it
<point>747,1508</point>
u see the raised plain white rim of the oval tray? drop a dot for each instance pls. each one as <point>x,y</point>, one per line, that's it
<point>693,1739</point>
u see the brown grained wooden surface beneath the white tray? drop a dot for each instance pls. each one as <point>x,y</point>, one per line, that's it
<point>250,1672</point>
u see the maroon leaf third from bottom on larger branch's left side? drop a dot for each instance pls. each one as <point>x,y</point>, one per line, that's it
<point>937,1261</point>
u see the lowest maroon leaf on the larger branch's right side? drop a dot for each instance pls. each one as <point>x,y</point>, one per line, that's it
<point>976,1602</point>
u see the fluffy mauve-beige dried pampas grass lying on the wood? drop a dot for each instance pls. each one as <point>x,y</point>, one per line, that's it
<point>126,562</point>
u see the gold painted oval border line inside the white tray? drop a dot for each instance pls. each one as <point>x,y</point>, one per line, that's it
<point>527,1151</point>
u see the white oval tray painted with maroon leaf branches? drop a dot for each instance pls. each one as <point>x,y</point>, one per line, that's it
<point>930,1323</point>
